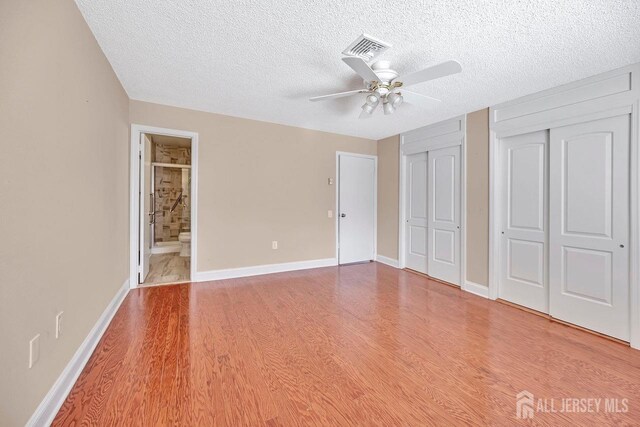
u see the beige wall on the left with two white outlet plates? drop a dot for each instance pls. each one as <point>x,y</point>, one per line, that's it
<point>63,191</point>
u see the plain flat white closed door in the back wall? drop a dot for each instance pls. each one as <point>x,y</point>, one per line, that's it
<point>356,207</point>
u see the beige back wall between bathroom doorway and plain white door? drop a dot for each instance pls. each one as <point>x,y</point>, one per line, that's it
<point>259,182</point>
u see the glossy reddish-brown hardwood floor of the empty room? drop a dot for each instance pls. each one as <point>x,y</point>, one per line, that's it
<point>356,345</point>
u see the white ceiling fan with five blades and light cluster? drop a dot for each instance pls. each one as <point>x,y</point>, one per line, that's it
<point>383,84</point>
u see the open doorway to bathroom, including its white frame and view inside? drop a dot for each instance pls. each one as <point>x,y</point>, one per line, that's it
<point>163,206</point>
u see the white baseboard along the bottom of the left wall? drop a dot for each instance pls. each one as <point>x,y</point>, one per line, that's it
<point>50,405</point>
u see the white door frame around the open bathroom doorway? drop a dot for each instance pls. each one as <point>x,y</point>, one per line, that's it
<point>134,196</point>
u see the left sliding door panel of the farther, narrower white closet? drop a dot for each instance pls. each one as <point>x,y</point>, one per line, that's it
<point>416,212</point>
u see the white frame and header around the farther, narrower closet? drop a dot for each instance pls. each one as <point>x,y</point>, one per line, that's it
<point>439,135</point>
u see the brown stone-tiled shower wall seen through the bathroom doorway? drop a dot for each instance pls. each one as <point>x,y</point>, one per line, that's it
<point>168,184</point>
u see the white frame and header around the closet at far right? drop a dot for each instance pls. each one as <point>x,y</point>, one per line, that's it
<point>606,95</point>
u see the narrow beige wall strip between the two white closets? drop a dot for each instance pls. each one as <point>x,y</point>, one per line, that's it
<point>478,197</point>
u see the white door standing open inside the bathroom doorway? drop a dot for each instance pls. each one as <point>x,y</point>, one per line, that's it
<point>146,208</point>
